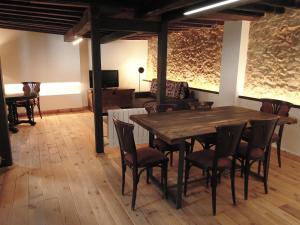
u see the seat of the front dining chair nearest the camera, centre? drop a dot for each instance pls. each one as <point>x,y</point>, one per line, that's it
<point>204,159</point>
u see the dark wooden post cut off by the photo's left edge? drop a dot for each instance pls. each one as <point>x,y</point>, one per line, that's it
<point>5,147</point>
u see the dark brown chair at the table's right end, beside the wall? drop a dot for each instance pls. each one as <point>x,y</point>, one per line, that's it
<point>280,108</point>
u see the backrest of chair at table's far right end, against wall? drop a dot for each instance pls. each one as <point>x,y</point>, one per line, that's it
<point>275,106</point>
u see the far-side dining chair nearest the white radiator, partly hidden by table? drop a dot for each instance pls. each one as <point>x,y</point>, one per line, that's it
<point>158,143</point>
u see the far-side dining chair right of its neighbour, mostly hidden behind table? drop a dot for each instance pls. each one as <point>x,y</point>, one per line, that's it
<point>207,140</point>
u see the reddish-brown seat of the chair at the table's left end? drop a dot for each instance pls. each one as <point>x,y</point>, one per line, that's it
<point>147,157</point>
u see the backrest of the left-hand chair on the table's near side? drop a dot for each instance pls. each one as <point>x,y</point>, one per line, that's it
<point>228,139</point>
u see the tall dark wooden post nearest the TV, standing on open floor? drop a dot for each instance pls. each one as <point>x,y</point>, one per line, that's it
<point>97,81</point>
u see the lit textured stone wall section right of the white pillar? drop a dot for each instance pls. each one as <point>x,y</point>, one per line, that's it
<point>273,66</point>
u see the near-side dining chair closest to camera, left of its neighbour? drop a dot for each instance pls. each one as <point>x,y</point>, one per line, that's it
<point>216,161</point>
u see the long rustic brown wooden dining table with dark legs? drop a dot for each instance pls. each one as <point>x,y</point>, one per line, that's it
<point>177,126</point>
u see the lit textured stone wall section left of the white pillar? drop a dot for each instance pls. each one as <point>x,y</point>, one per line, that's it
<point>193,56</point>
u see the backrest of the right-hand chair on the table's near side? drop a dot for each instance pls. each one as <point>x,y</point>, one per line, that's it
<point>261,133</point>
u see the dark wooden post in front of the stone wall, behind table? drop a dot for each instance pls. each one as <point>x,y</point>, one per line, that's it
<point>162,62</point>
